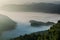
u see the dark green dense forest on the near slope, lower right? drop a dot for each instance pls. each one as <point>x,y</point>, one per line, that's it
<point>52,34</point>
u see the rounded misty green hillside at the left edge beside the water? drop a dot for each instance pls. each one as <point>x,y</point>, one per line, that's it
<point>6,23</point>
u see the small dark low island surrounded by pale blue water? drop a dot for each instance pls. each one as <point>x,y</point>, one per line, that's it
<point>37,23</point>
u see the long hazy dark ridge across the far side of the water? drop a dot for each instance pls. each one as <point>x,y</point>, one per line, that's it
<point>34,7</point>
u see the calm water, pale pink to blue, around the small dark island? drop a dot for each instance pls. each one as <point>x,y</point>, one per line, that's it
<point>23,25</point>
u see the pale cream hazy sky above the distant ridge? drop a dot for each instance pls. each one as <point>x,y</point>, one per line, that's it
<point>23,1</point>
